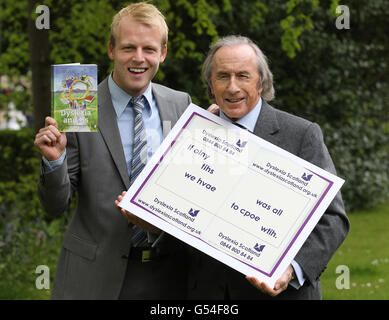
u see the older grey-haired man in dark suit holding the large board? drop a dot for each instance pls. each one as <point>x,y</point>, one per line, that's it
<point>239,80</point>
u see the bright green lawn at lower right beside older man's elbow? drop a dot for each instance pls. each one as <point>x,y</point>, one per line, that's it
<point>365,253</point>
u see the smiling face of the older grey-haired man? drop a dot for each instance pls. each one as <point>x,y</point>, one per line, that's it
<point>234,80</point>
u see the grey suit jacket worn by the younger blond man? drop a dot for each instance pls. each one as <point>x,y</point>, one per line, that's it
<point>92,262</point>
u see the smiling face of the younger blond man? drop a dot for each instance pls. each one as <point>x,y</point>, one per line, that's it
<point>137,53</point>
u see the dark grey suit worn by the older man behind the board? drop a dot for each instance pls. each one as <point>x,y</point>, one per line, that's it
<point>210,279</point>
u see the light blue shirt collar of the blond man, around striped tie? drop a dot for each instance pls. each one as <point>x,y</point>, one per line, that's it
<point>120,98</point>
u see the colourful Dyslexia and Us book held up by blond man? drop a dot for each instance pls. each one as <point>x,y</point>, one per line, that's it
<point>74,97</point>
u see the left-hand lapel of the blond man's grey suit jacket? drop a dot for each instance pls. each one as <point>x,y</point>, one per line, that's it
<point>110,132</point>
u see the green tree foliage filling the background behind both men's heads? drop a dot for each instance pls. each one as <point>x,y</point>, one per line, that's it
<point>338,78</point>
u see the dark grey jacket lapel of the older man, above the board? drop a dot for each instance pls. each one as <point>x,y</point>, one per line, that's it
<point>267,124</point>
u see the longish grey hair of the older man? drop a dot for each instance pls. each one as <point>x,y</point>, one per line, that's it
<point>265,75</point>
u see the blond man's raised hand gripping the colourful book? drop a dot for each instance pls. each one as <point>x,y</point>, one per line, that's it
<point>50,141</point>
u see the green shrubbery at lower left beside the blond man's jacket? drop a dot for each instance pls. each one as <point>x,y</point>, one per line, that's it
<point>27,237</point>
